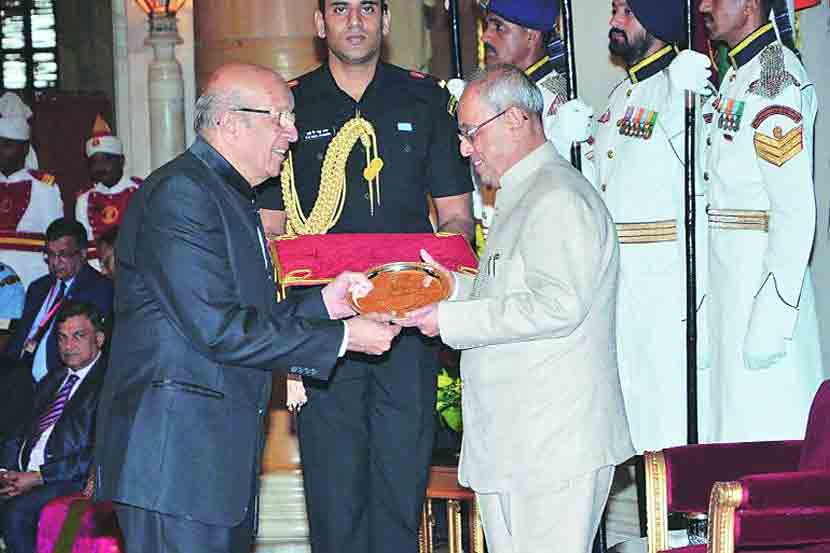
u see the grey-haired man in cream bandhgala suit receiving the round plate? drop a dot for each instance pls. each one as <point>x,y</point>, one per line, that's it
<point>544,422</point>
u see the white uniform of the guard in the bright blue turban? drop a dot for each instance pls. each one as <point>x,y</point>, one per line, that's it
<point>554,88</point>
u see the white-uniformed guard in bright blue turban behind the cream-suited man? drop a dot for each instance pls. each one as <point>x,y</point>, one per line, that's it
<point>523,34</point>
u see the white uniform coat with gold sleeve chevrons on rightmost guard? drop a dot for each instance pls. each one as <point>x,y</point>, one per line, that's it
<point>762,217</point>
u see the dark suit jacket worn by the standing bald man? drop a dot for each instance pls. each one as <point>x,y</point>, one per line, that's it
<point>197,330</point>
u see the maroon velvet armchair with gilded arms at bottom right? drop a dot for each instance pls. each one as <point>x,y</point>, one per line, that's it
<point>771,497</point>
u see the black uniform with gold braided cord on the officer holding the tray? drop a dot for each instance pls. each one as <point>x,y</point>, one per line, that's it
<point>366,437</point>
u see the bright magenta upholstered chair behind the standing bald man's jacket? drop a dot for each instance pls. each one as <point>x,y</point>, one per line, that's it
<point>74,524</point>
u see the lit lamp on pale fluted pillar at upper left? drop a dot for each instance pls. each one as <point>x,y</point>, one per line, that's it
<point>165,83</point>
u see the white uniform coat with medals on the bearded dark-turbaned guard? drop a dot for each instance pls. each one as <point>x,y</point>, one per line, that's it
<point>640,158</point>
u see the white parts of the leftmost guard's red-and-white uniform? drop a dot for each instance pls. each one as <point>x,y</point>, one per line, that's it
<point>44,206</point>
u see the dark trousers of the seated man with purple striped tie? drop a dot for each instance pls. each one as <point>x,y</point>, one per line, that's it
<point>19,515</point>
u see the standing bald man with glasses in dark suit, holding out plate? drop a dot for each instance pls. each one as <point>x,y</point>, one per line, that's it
<point>198,330</point>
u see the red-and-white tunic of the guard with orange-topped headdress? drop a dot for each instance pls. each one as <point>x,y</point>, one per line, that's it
<point>100,208</point>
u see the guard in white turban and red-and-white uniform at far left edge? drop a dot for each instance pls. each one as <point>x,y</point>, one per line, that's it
<point>29,199</point>
